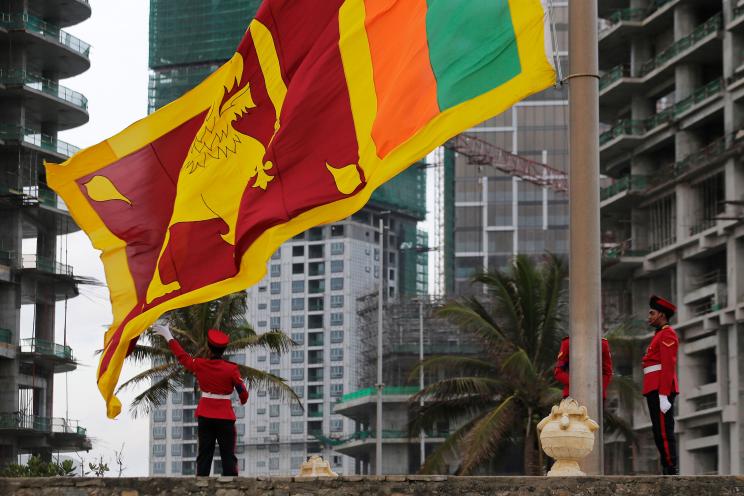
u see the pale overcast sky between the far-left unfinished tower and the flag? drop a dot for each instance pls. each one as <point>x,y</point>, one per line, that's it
<point>116,88</point>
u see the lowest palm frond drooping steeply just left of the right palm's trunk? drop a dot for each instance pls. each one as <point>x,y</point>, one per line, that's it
<point>487,434</point>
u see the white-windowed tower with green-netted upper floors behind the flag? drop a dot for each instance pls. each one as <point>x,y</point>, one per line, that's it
<point>312,285</point>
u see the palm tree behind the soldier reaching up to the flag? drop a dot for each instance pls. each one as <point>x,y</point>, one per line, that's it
<point>190,325</point>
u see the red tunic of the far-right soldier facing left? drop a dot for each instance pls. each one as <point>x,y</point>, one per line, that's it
<point>661,357</point>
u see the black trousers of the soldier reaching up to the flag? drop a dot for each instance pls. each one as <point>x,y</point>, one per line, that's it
<point>223,432</point>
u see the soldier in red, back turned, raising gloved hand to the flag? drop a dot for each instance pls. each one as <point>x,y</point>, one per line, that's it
<point>215,417</point>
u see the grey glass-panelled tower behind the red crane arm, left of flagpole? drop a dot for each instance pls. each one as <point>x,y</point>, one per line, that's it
<point>490,216</point>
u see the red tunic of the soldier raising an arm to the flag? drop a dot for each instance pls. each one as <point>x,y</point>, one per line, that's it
<point>214,376</point>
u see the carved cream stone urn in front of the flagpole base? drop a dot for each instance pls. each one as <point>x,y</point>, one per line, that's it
<point>567,436</point>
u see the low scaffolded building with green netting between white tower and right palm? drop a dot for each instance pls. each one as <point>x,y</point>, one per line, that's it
<point>411,330</point>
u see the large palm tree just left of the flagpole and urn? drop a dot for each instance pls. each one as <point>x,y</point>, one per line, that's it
<point>500,397</point>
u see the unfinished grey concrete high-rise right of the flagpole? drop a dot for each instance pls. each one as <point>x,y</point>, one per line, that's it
<point>672,100</point>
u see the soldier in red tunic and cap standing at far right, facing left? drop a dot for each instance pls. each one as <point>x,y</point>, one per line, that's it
<point>660,385</point>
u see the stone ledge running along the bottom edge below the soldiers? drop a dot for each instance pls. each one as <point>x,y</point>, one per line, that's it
<point>398,485</point>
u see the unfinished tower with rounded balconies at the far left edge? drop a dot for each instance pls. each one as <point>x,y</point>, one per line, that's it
<point>35,54</point>
